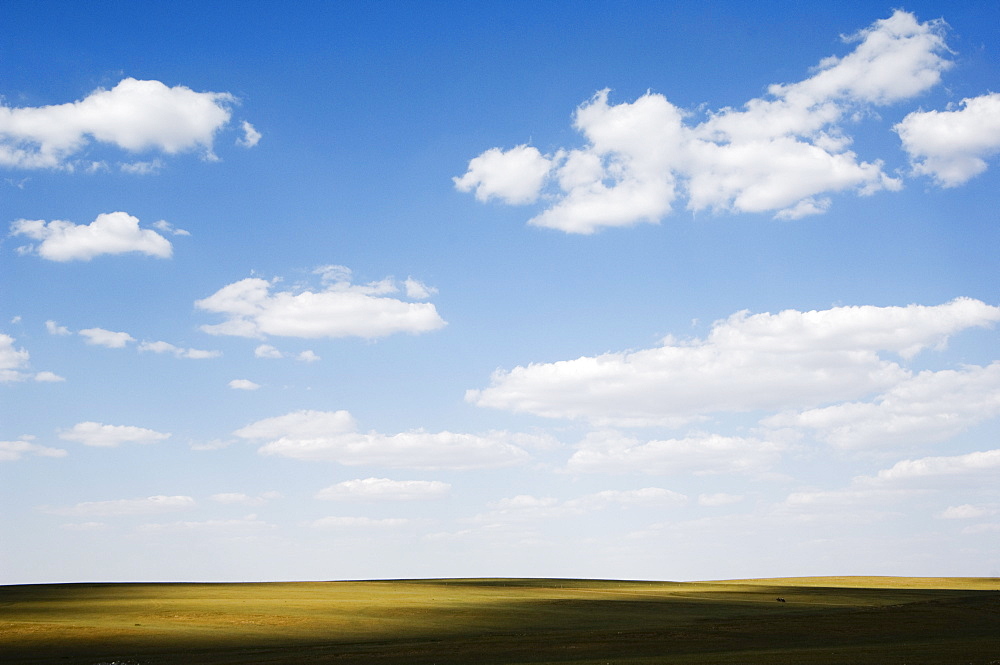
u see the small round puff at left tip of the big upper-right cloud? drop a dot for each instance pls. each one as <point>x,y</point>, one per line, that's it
<point>514,176</point>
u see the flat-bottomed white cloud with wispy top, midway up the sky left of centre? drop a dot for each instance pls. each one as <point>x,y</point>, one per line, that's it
<point>254,308</point>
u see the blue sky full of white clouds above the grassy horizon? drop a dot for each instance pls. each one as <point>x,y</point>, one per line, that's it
<point>369,290</point>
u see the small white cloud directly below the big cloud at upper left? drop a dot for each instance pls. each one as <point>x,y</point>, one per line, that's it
<point>110,233</point>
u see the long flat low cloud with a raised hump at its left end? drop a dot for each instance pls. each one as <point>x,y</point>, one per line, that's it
<point>333,436</point>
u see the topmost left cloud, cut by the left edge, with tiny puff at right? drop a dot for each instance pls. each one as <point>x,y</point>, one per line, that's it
<point>135,116</point>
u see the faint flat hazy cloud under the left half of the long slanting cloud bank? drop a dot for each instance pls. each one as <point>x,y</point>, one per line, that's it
<point>611,452</point>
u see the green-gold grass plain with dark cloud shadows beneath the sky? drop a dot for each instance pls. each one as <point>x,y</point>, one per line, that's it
<point>839,620</point>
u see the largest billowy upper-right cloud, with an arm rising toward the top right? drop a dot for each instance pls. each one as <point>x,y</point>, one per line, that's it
<point>783,153</point>
